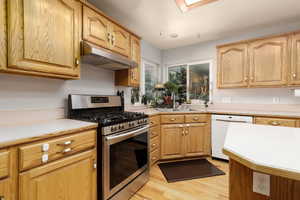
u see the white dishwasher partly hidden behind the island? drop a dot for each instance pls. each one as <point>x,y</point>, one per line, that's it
<point>219,130</point>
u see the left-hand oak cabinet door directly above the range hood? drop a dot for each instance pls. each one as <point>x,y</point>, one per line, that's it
<point>95,28</point>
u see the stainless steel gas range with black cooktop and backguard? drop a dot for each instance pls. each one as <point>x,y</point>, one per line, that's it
<point>123,143</point>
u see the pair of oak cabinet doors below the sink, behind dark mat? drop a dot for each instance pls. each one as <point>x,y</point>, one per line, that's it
<point>185,140</point>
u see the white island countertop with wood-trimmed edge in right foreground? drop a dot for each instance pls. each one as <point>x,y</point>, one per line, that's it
<point>267,149</point>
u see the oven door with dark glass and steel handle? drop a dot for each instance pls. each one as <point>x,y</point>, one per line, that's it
<point>125,156</point>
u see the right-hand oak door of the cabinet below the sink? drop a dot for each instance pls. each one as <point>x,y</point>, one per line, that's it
<point>197,139</point>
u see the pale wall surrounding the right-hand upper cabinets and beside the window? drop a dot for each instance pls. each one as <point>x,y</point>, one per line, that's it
<point>207,51</point>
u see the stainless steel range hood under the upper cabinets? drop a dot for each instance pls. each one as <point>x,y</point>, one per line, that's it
<point>101,57</point>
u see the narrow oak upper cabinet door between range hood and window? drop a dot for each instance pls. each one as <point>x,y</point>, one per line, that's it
<point>136,56</point>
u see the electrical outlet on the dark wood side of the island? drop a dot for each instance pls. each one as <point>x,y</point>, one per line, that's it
<point>261,183</point>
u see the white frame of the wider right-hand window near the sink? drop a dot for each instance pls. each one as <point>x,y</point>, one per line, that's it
<point>188,64</point>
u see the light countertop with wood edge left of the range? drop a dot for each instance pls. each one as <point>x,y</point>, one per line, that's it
<point>18,134</point>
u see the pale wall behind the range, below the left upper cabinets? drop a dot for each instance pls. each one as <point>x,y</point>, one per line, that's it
<point>19,92</point>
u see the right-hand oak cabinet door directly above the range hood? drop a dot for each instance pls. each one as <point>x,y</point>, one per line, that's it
<point>120,40</point>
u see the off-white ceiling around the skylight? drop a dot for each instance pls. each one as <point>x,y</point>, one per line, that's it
<point>156,20</point>
